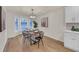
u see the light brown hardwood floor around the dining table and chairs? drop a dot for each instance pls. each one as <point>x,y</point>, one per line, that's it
<point>50,45</point>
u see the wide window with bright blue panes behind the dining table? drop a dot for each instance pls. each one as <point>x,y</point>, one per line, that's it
<point>23,24</point>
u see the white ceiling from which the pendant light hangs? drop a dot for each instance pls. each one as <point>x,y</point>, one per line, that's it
<point>26,10</point>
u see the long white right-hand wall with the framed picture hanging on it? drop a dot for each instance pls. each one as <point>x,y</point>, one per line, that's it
<point>55,24</point>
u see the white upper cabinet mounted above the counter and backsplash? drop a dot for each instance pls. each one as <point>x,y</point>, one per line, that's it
<point>72,14</point>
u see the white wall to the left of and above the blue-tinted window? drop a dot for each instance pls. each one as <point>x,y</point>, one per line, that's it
<point>11,24</point>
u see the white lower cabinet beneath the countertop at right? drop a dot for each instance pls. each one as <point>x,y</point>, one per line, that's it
<point>71,40</point>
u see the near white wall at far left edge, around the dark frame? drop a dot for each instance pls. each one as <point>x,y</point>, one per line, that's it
<point>3,35</point>
